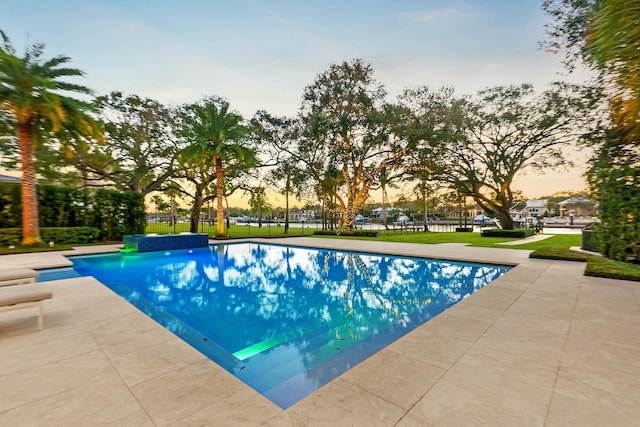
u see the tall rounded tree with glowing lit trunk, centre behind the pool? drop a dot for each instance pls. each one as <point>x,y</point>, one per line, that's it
<point>347,129</point>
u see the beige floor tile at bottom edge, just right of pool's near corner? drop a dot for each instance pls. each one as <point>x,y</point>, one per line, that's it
<point>340,403</point>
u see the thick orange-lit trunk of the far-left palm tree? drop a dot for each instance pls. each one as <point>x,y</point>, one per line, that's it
<point>30,226</point>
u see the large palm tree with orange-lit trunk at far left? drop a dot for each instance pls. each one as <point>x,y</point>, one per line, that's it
<point>32,96</point>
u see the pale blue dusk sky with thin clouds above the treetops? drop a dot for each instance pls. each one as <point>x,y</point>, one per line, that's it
<point>262,54</point>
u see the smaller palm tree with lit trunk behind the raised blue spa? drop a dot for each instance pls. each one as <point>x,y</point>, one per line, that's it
<point>218,132</point>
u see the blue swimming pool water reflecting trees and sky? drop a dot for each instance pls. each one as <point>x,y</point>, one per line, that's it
<point>286,320</point>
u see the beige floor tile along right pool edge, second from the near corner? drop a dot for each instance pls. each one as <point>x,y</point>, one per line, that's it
<point>394,377</point>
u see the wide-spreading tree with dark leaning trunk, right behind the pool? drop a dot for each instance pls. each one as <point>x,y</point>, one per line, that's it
<point>489,139</point>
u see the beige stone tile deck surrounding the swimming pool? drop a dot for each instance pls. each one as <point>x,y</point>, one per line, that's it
<point>541,346</point>
